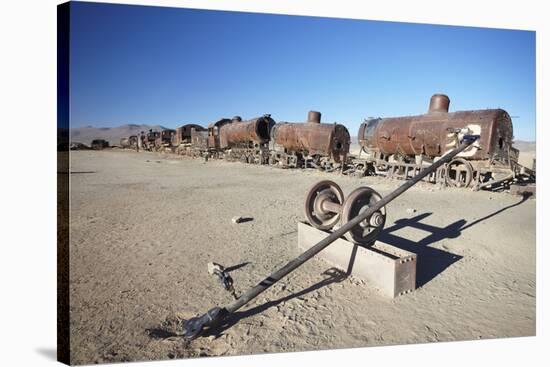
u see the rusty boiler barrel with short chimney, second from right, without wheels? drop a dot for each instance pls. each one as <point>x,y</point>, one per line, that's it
<point>313,138</point>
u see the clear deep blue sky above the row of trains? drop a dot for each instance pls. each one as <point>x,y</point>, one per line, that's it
<point>168,66</point>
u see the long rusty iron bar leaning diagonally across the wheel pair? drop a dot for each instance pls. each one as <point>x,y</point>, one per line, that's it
<point>295,263</point>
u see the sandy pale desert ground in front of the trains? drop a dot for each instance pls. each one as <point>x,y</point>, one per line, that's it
<point>144,226</point>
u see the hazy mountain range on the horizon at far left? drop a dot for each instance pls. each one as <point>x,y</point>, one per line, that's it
<point>111,134</point>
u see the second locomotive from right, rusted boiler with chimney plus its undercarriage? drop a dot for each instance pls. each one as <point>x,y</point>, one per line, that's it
<point>310,144</point>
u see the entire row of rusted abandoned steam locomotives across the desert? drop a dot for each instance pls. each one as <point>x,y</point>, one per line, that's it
<point>397,147</point>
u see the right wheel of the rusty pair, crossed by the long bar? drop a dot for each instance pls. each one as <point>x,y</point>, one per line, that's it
<point>366,232</point>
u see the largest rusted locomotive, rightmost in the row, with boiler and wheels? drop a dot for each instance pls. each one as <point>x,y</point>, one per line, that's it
<point>402,146</point>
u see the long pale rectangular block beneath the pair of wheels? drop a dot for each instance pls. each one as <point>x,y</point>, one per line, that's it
<point>387,268</point>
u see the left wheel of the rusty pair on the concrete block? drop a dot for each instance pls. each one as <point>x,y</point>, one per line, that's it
<point>315,211</point>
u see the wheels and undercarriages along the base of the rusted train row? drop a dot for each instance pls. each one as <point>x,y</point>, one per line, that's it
<point>494,174</point>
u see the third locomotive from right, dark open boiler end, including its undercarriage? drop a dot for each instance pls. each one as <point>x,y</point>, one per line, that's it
<point>247,141</point>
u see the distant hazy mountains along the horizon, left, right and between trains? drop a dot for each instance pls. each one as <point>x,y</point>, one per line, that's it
<point>114,134</point>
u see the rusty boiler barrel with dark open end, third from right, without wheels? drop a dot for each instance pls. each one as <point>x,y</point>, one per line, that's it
<point>256,130</point>
